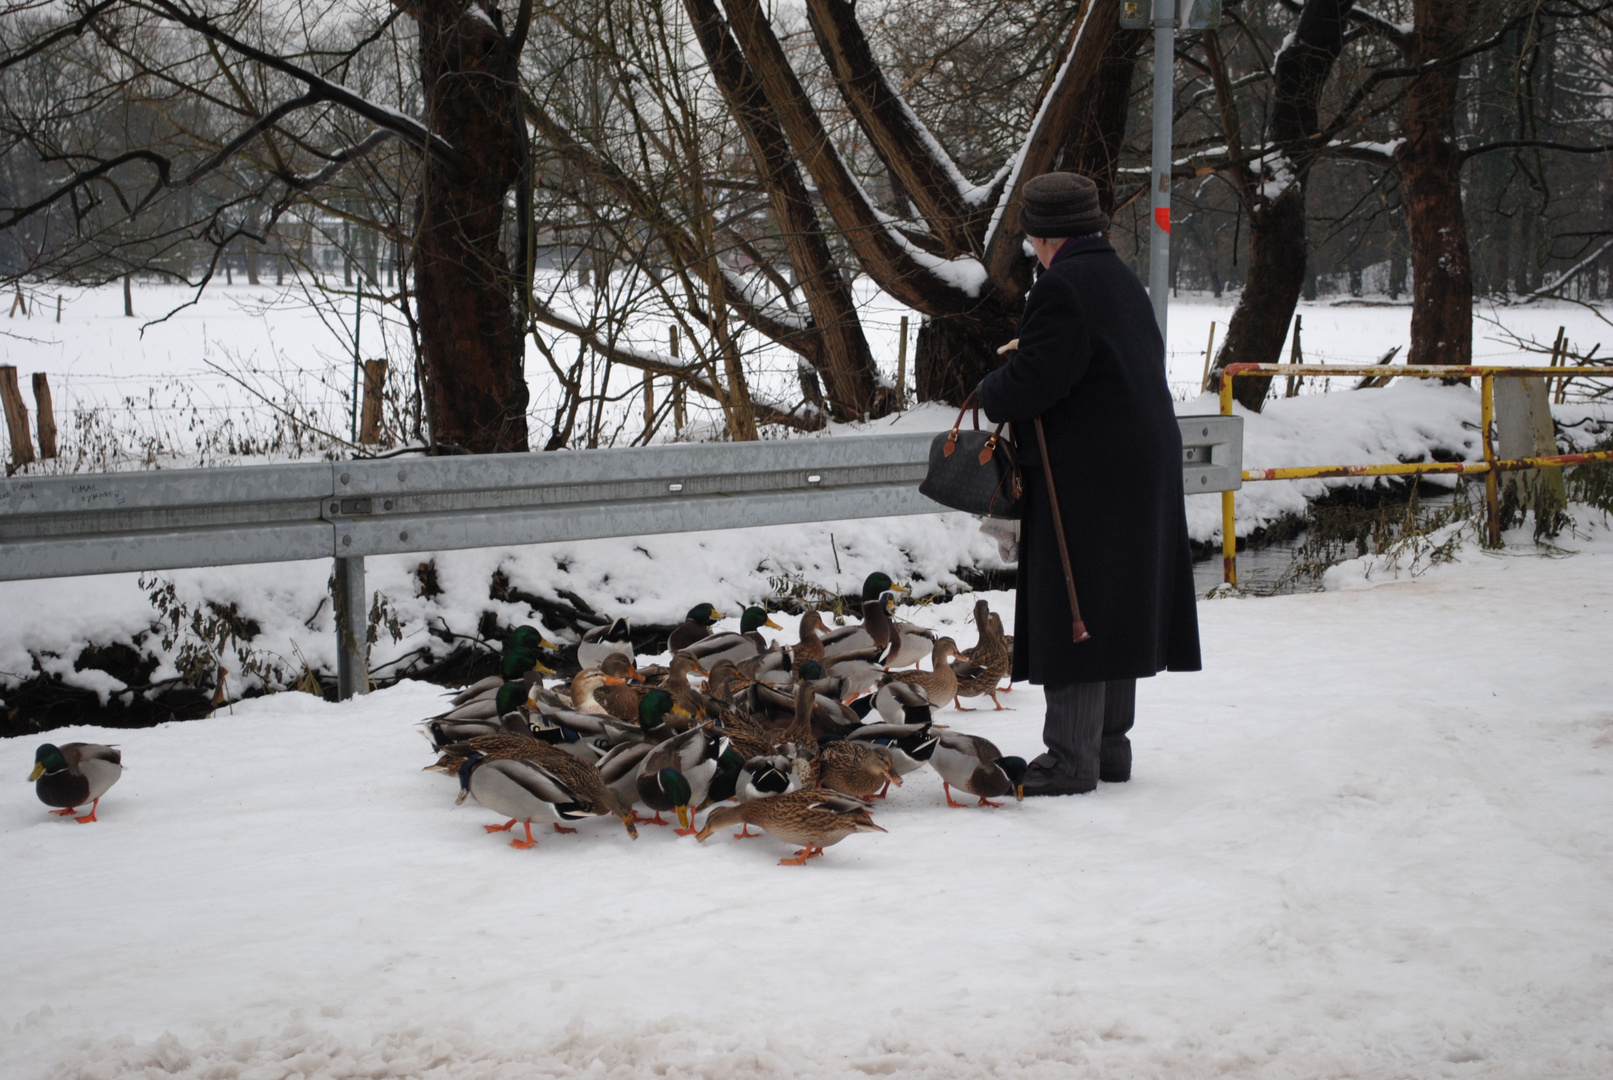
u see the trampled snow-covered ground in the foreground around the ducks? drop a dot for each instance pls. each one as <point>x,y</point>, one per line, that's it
<point>1372,839</point>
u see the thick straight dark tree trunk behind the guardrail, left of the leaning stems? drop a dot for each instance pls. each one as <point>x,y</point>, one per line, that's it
<point>470,336</point>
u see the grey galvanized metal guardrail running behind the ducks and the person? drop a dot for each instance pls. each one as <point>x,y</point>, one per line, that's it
<point>348,510</point>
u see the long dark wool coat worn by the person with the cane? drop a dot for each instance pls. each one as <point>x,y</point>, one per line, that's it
<point>1091,363</point>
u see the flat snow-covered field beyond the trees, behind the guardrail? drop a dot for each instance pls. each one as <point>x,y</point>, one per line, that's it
<point>244,352</point>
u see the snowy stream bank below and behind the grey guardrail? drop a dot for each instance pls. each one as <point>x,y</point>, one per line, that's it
<point>657,579</point>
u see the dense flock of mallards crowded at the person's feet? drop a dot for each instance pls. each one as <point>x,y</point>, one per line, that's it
<point>796,741</point>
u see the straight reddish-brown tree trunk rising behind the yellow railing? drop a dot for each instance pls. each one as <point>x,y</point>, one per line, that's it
<point>1430,168</point>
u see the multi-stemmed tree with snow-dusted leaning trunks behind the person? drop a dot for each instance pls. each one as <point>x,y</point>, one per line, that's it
<point>846,177</point>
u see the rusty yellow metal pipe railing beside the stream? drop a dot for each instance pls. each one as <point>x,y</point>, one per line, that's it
<point>1490,467</point>
